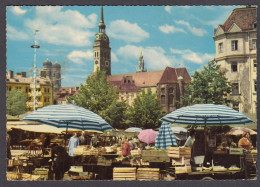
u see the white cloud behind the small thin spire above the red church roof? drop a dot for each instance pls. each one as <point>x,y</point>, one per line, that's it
<point>155,58</point>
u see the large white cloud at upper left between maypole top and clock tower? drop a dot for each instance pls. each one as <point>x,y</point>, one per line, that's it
<point>60,27</point>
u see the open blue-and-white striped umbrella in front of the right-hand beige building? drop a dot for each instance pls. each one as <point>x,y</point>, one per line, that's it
<point>206,114</point>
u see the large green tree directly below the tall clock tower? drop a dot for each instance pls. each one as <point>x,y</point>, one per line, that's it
<point>98,96</point>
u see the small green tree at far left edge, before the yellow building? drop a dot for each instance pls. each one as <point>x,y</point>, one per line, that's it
<point>15,102</point>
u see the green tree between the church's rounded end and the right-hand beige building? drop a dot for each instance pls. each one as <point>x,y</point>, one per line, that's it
<point>209,86</point>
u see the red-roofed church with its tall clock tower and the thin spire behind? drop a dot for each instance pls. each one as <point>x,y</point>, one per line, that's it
<point>167,84</point>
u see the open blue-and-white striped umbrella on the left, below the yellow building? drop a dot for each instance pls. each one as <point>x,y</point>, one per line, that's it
<point>69,116</point>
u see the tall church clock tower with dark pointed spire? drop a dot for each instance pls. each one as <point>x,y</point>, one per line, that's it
<point>102,50</point>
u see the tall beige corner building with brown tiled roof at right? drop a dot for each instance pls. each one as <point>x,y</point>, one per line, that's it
<point>236,46</point>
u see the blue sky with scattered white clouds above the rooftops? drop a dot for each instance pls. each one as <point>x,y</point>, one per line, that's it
<point>174,36</point>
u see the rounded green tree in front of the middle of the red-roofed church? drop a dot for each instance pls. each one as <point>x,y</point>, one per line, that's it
<point>146,110</point>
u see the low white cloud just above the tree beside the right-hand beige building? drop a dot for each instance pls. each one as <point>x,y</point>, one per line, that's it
<point>191,56</point>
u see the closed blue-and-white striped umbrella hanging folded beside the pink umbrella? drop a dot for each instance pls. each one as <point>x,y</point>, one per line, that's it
<point>165,137</point>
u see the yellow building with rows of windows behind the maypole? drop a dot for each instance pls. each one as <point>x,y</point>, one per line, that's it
<point>44,92</point>
